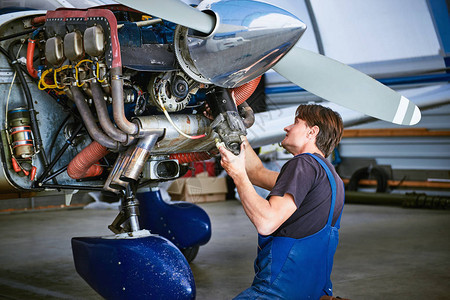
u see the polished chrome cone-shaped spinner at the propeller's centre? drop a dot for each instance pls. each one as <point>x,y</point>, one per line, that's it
<point>248,39</point>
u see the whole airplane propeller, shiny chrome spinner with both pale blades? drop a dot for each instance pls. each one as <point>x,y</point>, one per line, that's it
<point>242,39</point>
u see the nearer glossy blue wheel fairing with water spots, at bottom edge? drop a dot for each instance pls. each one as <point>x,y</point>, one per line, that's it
<point>141,268</point>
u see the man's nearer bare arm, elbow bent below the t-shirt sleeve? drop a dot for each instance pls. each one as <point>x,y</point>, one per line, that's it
<point>267,216</point>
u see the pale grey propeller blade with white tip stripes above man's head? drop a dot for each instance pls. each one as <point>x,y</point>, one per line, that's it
<point>341,84</point>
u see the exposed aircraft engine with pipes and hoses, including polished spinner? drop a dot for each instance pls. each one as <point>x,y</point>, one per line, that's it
<point>132,93</point>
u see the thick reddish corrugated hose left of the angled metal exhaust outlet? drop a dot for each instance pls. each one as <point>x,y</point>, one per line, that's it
<point>84,164</point>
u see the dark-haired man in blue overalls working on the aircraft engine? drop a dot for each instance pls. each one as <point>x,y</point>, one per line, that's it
<point>298,223</point>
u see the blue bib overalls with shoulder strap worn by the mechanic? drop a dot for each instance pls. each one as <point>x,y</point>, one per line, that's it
<point>288,268</point>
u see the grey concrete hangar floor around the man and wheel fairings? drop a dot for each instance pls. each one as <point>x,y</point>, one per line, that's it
<point>384,253</point>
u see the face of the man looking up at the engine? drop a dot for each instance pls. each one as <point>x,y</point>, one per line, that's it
<point>296,136</point>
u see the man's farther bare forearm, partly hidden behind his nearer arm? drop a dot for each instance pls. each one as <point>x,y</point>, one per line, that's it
<point>257,173</point>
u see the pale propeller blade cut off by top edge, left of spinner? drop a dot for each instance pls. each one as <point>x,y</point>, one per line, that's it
<point>174,11</point>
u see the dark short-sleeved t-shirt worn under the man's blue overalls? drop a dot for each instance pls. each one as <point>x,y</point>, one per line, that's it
<point>306,180</point>
